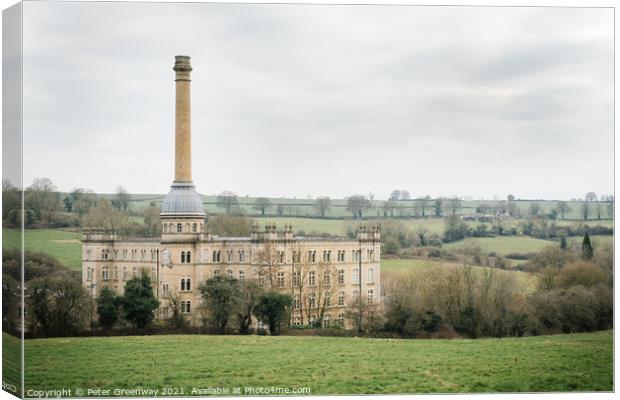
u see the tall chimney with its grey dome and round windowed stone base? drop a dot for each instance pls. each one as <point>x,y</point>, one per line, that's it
<point>182,214</point>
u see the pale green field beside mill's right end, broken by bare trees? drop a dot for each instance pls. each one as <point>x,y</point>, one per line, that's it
<point>392,268</point>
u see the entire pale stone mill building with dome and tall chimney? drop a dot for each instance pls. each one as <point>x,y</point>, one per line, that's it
<point>324,276</point>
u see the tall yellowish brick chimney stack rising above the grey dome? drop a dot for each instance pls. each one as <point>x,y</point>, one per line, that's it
<point>183,130</point>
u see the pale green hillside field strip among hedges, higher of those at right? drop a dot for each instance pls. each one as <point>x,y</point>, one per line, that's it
<point>504,244</point>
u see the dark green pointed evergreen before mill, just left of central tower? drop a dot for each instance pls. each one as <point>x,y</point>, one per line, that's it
<point>139,302</point>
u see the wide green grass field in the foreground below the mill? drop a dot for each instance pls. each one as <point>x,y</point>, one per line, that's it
<point>327,365</point>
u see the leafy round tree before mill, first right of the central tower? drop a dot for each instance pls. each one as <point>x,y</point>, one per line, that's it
<point>220,295</point>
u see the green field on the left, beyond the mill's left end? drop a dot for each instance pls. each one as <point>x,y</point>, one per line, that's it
<point>64,246</point>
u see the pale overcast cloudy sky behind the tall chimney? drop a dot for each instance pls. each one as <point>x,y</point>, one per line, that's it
<point>297,100</point>
